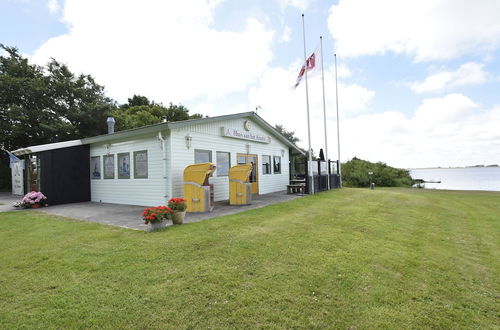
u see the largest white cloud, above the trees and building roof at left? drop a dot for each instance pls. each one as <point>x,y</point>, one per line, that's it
<point>165,50</point>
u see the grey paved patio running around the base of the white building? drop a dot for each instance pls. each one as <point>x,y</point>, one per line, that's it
<point>129,216</point>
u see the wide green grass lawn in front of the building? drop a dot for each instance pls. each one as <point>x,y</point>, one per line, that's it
<point>350,258</point>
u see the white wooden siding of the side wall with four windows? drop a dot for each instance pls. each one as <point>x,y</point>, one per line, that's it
<point>147,192</point>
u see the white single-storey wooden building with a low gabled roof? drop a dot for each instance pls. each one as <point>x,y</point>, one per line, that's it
<point>144,166</point>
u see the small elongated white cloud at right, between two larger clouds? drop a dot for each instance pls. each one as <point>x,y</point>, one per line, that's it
<point>467,74</point>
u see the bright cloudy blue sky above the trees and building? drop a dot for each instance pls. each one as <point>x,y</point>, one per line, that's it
<point>418,81</point>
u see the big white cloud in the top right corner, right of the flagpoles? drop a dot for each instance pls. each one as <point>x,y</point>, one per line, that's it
<point>424,30</point>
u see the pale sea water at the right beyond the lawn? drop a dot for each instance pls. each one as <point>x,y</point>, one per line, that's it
<point>470,178</point>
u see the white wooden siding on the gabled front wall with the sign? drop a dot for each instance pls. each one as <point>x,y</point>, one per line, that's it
<point>208,136</point>
